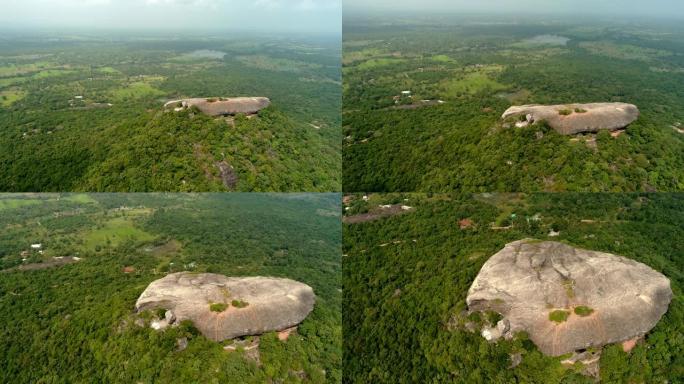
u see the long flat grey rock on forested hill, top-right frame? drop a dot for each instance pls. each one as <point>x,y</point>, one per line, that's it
<point>569,119</point>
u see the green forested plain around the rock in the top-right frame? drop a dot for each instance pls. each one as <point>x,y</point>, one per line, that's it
<point>462,74</point>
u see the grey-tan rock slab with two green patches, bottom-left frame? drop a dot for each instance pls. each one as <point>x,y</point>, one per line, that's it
<point>227,307</point>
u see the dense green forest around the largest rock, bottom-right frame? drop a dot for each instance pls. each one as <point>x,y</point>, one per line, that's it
<point>406,278</point>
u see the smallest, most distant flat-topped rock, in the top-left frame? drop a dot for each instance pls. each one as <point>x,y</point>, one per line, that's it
<point>220,106</point>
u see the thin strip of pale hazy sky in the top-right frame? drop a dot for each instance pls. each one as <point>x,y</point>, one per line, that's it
<point>667,8</point>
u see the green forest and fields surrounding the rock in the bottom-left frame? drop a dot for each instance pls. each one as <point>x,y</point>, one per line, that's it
<point>70,323</point>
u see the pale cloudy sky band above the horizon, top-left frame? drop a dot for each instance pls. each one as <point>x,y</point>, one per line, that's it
<point>297,16</point>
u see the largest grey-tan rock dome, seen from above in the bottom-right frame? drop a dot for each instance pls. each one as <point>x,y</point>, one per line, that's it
<point>568,299</point>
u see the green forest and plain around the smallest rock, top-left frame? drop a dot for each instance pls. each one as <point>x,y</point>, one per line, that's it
<point>84,113</point>
